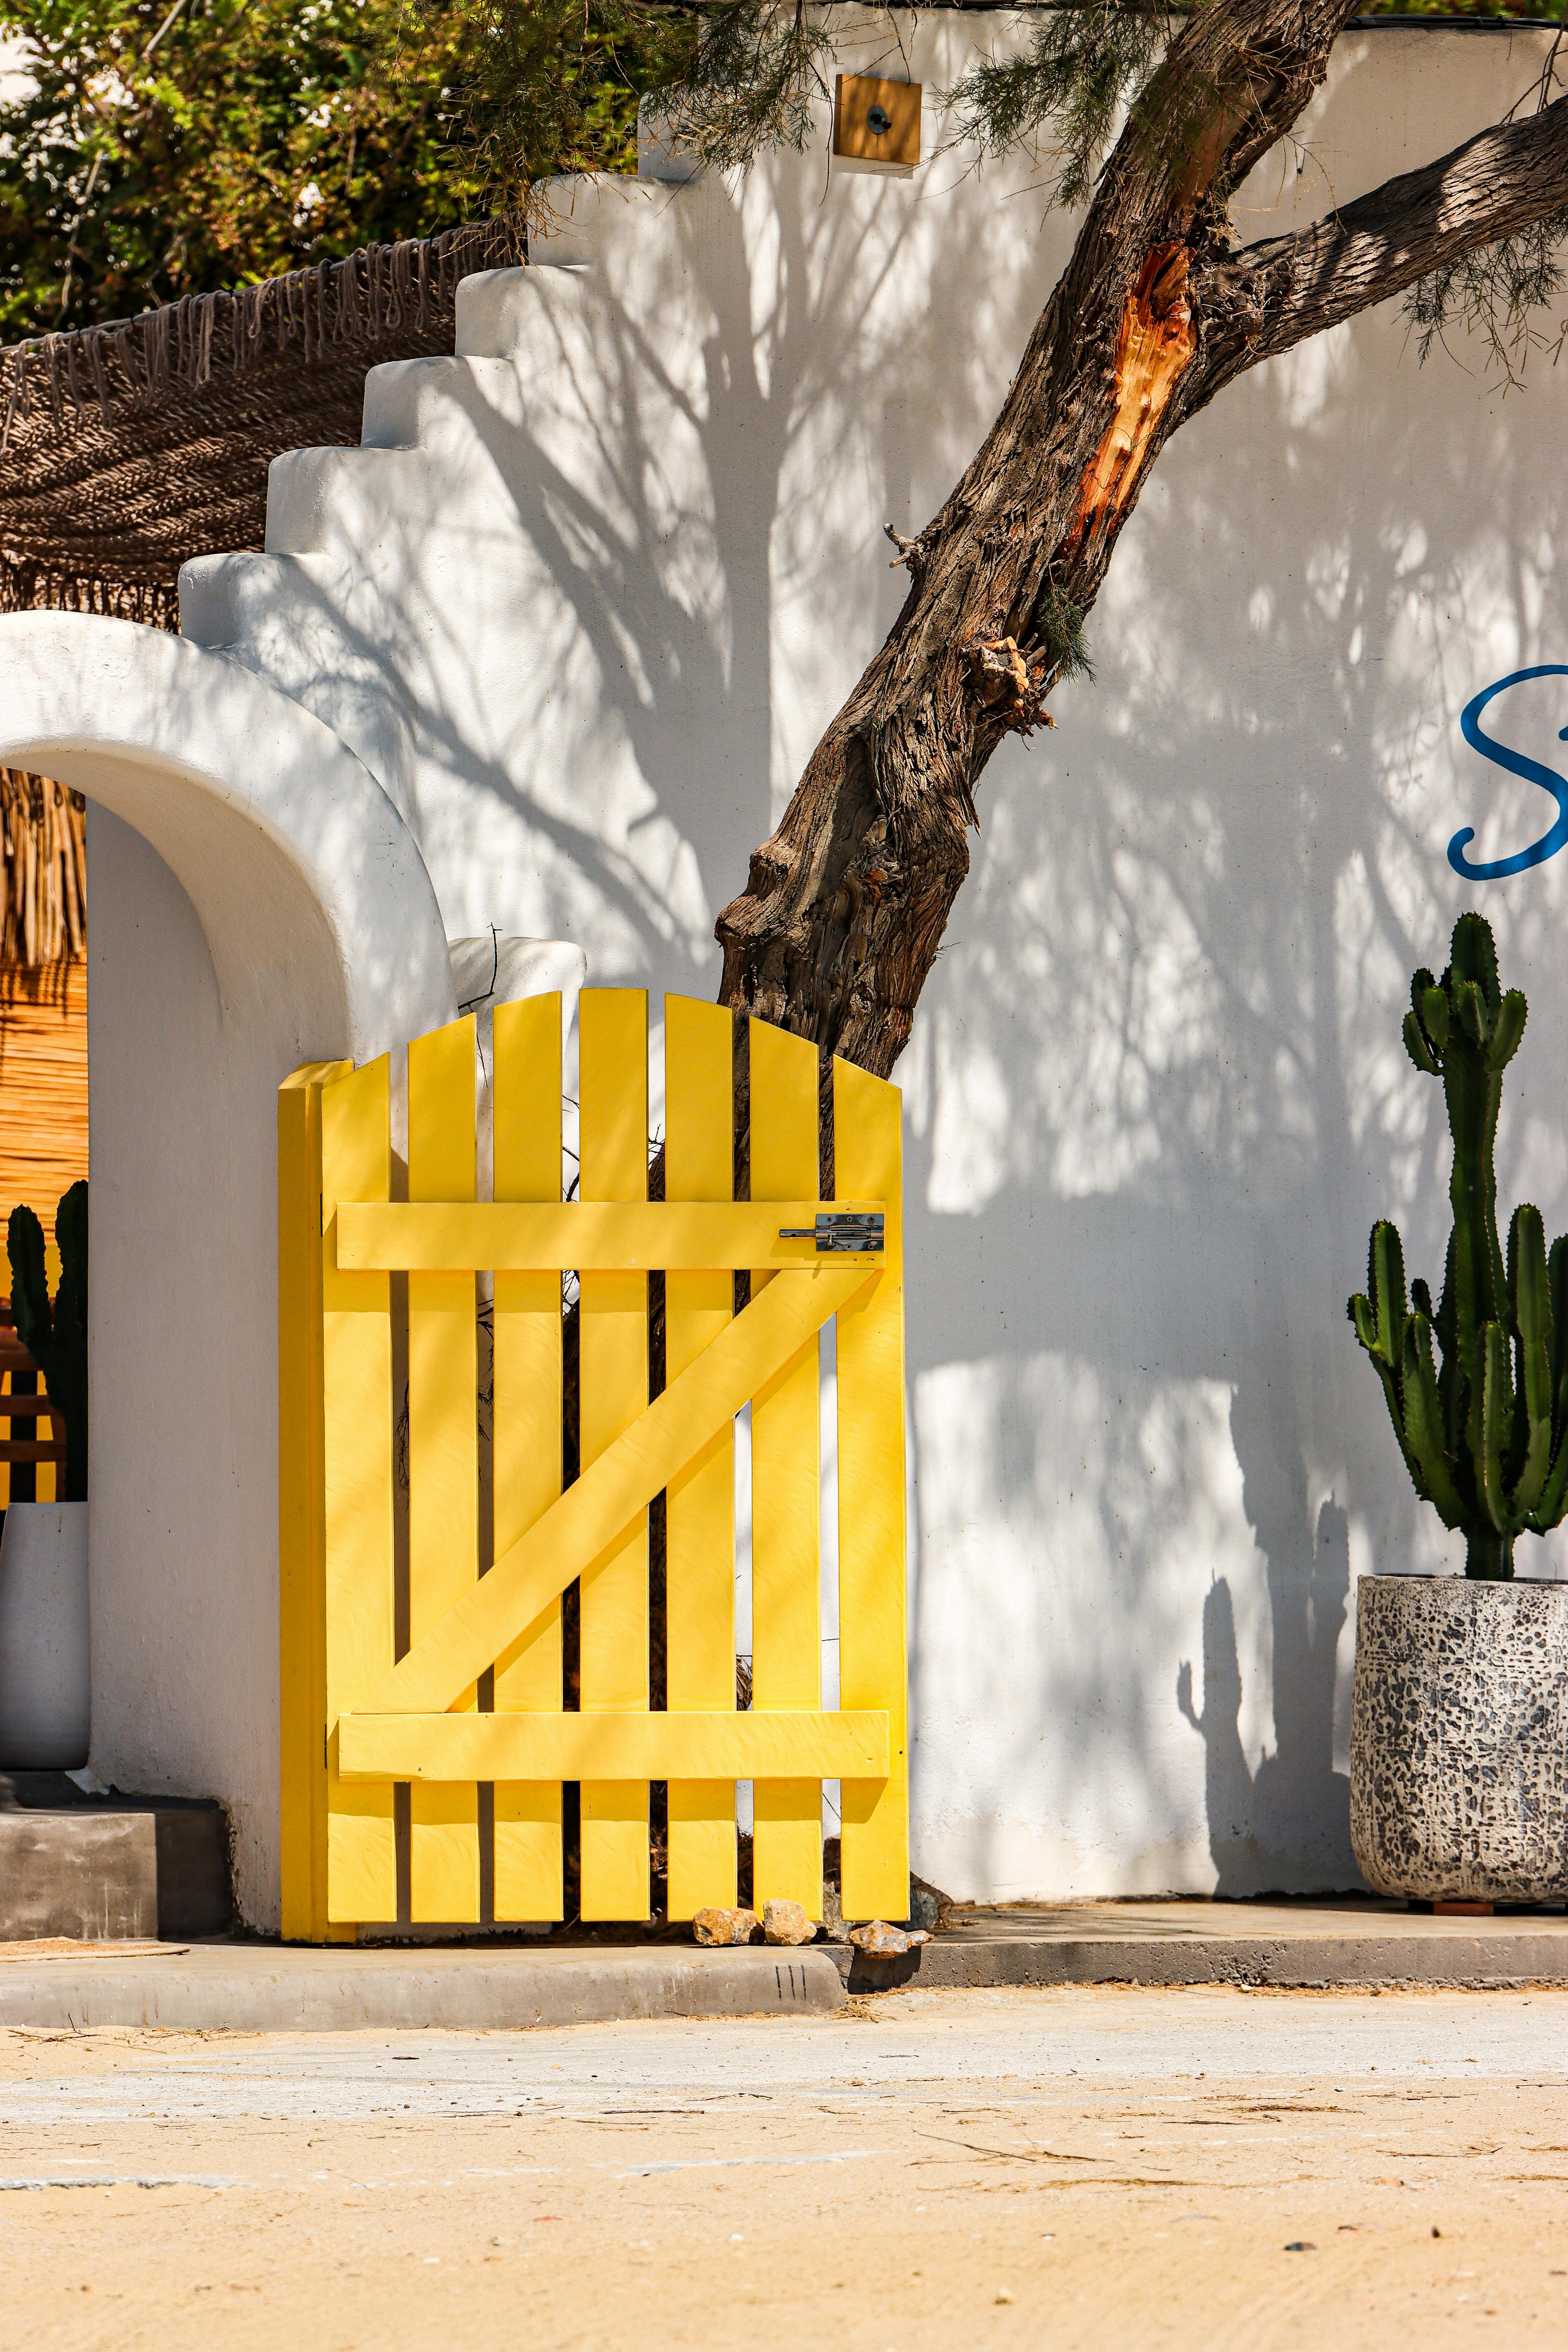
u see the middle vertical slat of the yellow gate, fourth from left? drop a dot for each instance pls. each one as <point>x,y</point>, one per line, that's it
<point>612,1394</point>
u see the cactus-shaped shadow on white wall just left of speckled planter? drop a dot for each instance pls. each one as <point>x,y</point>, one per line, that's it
<point>1292,1817</point>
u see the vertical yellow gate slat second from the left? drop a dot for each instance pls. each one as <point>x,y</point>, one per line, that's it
<point>443,1450</point>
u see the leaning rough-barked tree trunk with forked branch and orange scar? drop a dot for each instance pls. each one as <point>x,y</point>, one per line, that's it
<point>847,902</point>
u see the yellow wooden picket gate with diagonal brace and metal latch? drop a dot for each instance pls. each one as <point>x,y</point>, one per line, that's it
<point>408,1662</point>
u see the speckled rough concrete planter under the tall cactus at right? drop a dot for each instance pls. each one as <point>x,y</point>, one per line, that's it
<point>1459,1739</point>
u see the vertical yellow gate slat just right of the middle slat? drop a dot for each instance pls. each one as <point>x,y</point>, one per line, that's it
<point>702,1499</point>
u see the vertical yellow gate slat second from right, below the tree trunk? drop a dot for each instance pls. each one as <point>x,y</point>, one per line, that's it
<point>786,1577</point>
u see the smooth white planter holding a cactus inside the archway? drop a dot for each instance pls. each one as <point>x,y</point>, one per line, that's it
<point>43,1638</point>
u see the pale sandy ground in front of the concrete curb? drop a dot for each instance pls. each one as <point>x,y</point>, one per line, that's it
<point>970,2170</point>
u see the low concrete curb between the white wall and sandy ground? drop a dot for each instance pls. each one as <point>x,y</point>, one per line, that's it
<point>297,1989</point>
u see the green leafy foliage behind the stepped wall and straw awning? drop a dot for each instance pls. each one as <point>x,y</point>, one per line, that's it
<point>170,147</point>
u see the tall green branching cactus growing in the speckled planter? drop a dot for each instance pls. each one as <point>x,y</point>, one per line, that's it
<point>1485,1438</point>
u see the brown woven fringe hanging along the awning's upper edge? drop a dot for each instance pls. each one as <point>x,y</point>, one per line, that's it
<point>361,300</point>
